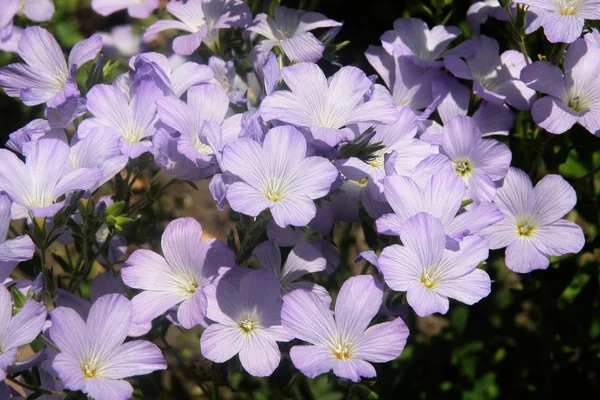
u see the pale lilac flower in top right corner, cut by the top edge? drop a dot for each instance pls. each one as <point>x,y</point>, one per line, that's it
<point>563,19</point>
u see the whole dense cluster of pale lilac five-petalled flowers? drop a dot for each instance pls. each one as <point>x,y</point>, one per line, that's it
<point>292,152</point>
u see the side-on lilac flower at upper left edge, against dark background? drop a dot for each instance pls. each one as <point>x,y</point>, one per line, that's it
<point>46,78</point>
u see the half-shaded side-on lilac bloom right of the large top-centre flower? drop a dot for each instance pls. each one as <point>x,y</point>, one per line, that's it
<point>409,83</point>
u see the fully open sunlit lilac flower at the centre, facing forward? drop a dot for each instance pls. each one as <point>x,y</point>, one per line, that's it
<point>277,176</point>
